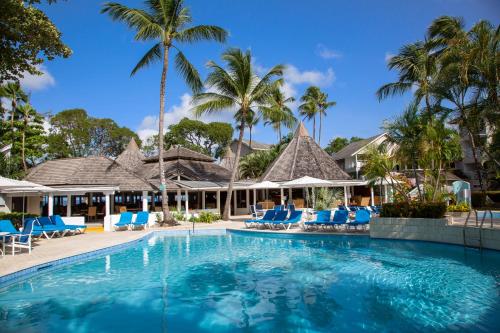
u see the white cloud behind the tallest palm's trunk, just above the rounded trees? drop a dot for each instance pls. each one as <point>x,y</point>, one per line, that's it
<point>149,125</point>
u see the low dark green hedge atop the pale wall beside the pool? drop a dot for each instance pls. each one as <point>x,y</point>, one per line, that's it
<point>432,210</point>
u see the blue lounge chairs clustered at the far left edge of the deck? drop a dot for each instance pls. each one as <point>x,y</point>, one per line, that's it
<point>35,227</point>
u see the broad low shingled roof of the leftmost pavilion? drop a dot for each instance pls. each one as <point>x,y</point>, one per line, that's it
<point>94,170</point>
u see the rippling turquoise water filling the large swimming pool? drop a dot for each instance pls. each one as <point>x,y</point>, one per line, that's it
<point>262,283</point>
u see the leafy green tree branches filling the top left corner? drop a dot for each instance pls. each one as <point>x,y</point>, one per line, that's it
<point>27,36</point>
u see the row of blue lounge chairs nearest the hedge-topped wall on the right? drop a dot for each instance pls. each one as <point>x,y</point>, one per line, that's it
<point>340,219</point>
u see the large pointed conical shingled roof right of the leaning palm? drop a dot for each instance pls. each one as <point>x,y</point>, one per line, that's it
<point>303,157</point>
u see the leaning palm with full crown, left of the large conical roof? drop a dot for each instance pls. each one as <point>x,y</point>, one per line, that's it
<point>237,89</point>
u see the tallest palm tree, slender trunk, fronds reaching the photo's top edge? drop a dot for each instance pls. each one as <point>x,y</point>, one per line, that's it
<point>165,22</point>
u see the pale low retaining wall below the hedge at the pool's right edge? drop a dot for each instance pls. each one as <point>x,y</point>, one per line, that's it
<point>434,230</point>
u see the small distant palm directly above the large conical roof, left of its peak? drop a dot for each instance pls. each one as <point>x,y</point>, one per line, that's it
<point>277,113</point>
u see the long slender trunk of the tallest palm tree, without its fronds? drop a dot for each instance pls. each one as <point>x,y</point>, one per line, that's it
<point>163,186</point>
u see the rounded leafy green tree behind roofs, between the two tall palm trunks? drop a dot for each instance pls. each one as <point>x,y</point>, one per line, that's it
<point>210,139</point>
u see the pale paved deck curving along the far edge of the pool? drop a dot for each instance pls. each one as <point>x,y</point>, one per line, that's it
<point>47,250</point>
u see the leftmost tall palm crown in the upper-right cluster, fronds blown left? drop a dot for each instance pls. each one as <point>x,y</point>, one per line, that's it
<point>417,68</point>
